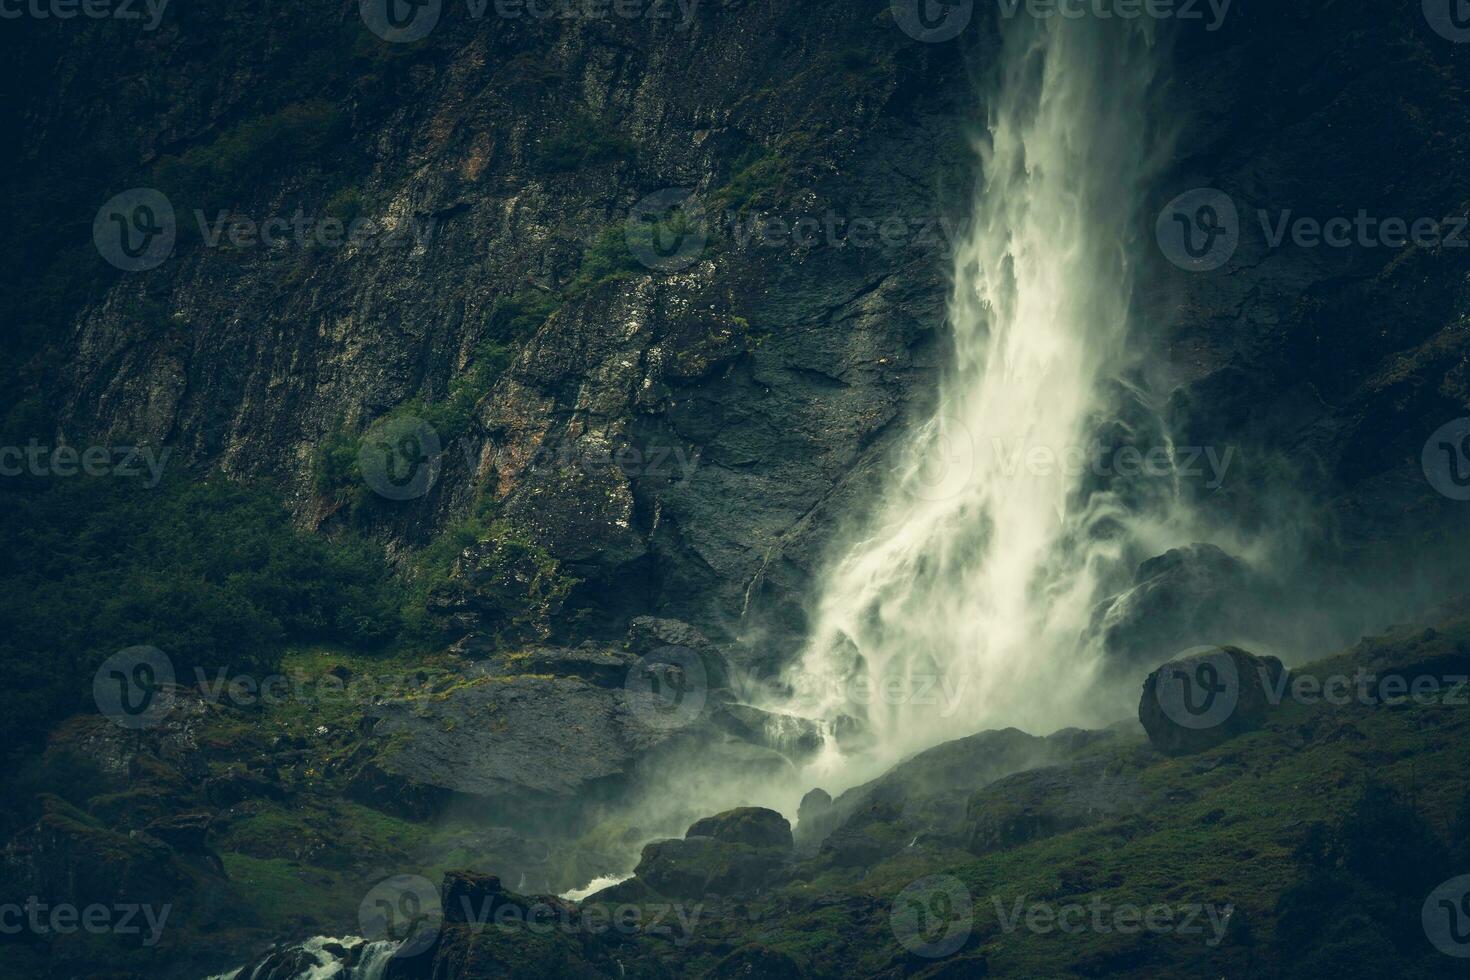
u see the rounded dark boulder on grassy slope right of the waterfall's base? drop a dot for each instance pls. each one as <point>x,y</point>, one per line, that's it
<point>1209,697</point>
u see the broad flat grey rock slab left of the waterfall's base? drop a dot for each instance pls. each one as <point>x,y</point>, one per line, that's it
<point>537,744</point>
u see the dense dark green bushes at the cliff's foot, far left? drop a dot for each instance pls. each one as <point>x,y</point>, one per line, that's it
<point>214,574</point>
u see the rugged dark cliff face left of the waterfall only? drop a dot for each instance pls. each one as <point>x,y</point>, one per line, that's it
<point>677,434</point>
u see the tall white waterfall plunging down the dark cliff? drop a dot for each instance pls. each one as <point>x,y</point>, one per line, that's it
<point>962,600</point>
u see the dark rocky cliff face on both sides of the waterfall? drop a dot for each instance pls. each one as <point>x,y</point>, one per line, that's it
<point>686,430</point>
